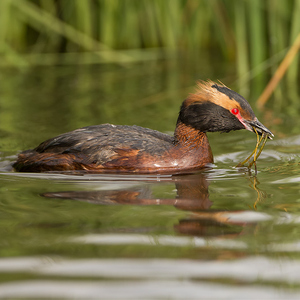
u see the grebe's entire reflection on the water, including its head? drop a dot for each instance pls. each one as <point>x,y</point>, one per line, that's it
<point>192,196</point>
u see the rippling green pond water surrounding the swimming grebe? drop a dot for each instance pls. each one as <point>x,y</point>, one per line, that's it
<point>218,233</point>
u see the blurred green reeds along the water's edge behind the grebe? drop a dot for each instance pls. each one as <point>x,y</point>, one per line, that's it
<point>246,33</point>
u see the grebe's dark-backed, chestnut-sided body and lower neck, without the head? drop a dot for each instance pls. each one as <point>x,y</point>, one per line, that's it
<point>117,148</point>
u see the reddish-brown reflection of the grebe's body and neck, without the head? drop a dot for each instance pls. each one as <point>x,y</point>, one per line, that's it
<point>192,194</point>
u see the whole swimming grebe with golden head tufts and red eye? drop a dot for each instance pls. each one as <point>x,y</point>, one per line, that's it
<point>117,148</point>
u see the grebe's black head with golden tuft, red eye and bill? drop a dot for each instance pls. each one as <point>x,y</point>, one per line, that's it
<point>215,107</point>
